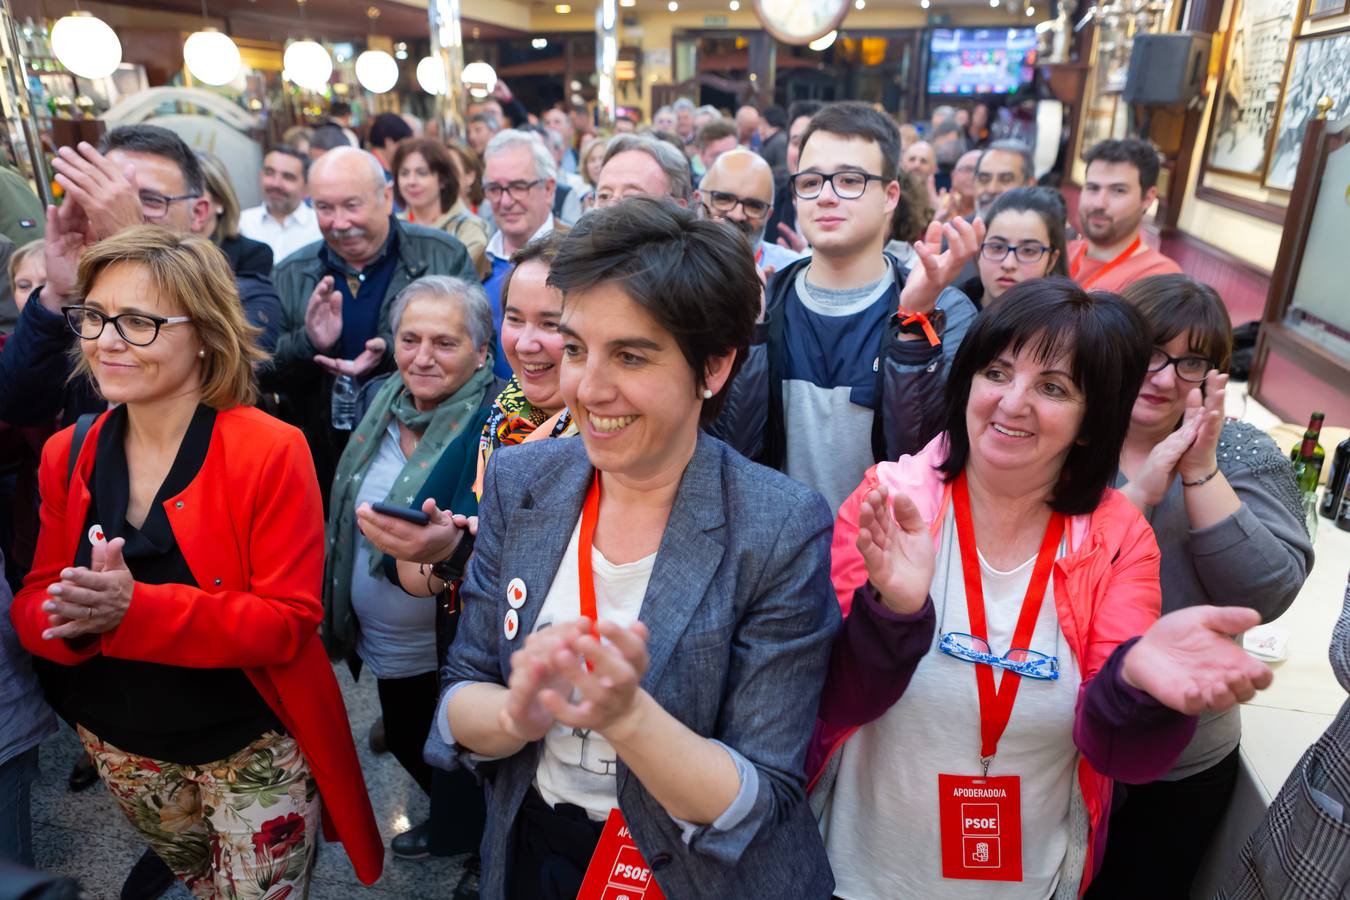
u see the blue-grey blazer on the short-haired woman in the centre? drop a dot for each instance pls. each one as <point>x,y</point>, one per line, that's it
<point>742,620</point>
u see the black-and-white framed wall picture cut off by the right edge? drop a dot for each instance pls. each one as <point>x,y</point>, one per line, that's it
<point>1320,69</point>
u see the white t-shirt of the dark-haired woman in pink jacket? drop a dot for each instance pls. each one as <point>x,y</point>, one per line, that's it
<point>882,824</point>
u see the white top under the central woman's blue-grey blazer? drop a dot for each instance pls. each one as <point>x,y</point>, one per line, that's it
<point>580,767</point>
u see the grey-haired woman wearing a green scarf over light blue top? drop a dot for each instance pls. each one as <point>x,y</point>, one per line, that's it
<point>418,438</point>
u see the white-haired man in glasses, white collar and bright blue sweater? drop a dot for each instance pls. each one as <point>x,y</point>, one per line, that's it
<point>519,181</point>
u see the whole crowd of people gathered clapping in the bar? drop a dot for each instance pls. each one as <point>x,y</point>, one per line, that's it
<point>805,497</point>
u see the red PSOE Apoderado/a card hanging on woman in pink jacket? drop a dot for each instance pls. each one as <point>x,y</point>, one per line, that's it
<point>981,828</point>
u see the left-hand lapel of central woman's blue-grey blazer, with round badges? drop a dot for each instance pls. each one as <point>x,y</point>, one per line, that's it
<point>538,535</point>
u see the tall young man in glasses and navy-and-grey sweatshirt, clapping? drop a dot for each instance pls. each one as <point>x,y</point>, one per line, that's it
<point>853,342</point>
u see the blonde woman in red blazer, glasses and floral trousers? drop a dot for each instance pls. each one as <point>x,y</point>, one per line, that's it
<point>178,581</point>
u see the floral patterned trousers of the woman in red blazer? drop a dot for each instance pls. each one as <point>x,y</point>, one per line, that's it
<point>240,829</point>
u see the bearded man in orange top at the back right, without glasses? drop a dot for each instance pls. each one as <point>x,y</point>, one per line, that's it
<point>1120,188</point>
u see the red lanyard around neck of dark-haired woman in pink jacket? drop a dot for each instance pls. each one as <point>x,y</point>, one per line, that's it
<point>997,704</point>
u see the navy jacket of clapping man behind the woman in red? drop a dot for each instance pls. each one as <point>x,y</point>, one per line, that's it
<point>36,364</point>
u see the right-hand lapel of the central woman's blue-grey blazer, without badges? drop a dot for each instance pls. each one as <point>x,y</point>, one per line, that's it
<point>691,553</point>
